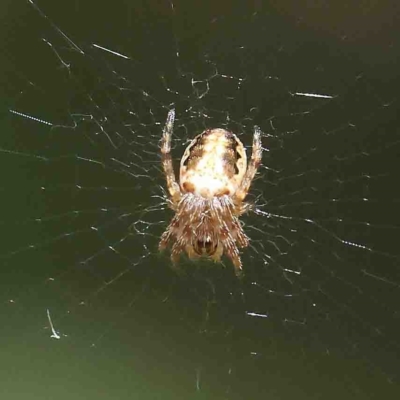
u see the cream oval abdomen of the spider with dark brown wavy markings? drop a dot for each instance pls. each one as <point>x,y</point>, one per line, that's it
<point>213,164</point>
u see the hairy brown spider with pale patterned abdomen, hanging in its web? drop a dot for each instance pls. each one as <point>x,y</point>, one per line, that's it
<point>208,201</point>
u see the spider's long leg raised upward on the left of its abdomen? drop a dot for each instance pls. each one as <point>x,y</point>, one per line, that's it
<point>166,158</point>
